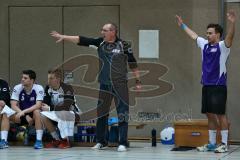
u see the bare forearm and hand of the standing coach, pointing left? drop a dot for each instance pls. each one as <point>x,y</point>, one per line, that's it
<point>60,37</point>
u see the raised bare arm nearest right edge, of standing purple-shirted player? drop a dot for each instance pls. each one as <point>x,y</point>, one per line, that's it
<point>231,17</point>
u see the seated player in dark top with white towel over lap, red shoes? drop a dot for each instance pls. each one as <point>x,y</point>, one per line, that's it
<point>59,110</point>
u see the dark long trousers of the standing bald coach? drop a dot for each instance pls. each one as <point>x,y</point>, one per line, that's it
<point>119,92</point>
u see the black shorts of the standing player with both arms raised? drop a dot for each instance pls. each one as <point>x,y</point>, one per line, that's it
<point>214,99</point>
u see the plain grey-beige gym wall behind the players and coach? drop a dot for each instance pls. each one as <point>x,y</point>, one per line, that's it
<point>25,43</point>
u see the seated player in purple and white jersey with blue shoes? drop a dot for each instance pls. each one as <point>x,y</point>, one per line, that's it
<point>26,101</point>
